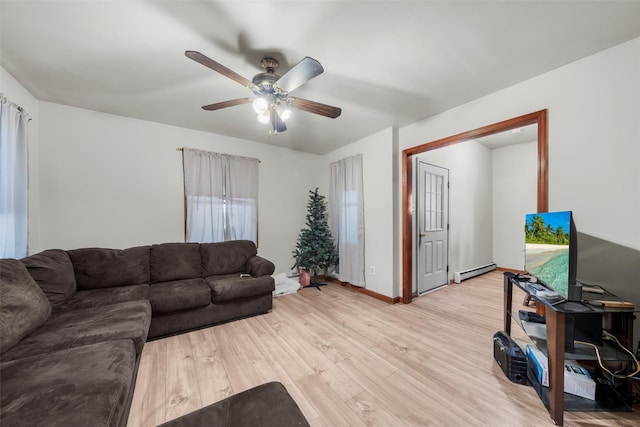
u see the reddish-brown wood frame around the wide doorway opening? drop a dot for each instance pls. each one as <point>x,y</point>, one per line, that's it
<point>538,117</point>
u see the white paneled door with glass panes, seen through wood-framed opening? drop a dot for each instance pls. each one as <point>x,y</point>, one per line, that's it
<point>432,207</point>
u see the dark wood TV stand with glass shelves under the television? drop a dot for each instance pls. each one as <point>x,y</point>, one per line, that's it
<point>551,340</point>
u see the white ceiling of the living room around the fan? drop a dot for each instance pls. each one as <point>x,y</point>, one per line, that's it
<point>387,63</point>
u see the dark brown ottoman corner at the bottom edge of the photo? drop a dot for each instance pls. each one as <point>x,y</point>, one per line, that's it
<point>265,405</point>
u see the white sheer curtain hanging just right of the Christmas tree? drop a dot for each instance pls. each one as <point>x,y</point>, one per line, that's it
<point>346,218</point>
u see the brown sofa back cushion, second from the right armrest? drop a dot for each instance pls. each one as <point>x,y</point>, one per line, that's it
<point>175,261</point>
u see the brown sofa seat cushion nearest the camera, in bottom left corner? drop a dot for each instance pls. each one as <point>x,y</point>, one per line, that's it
<point>80,386</point>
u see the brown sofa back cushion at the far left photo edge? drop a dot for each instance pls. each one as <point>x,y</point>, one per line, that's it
<point>23,305</point>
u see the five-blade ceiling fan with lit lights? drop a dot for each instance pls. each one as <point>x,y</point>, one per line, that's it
<point>271,100</point>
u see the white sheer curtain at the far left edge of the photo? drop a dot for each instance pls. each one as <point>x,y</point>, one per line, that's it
<point>13,180</point>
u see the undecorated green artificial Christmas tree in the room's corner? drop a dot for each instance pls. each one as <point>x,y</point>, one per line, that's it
<point>315,250</point>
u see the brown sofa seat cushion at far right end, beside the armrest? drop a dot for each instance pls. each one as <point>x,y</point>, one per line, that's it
<point>231,287</point>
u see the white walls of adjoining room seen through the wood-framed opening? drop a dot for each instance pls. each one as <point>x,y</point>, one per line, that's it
<point>483,215</point>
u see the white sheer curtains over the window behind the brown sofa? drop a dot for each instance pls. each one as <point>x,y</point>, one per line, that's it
<point>221,193</point>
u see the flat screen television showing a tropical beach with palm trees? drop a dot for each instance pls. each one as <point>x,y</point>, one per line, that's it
<point>551,252</point>
